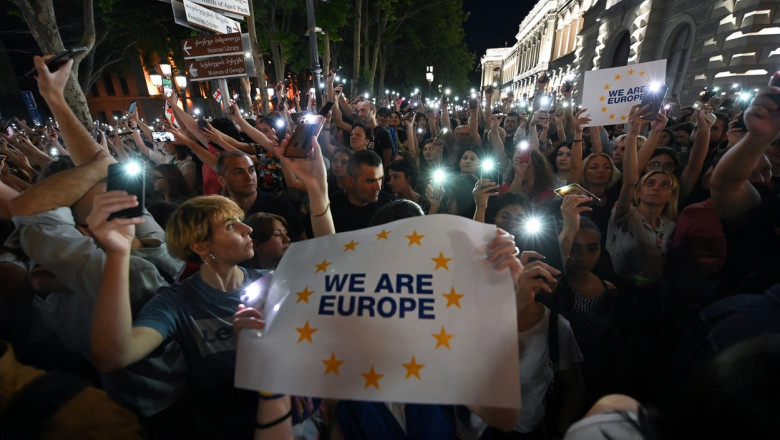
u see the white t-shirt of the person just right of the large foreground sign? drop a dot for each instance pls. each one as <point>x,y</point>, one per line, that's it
<point>535,372</point>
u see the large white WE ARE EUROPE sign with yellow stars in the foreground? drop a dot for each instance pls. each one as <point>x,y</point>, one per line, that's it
<point>410,311</point>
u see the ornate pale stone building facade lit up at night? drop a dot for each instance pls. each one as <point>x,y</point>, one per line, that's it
<point>718,43</point>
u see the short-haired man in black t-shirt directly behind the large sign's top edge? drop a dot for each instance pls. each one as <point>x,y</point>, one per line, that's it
<point>353,207</point>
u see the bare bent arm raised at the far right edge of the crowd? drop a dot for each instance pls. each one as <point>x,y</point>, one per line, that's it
<point>732,193</point>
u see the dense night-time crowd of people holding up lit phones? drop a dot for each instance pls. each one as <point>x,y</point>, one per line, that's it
<point>668,245</point>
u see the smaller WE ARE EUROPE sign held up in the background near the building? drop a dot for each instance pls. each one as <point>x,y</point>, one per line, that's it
<point>609,94</point>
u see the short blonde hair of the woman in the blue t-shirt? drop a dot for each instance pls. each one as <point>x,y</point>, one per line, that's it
<point>192,223</point>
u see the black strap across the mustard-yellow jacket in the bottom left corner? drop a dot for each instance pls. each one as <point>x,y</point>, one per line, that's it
<point>33,406</point>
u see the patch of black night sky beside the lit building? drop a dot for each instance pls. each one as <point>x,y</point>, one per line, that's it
<point>493,23</point>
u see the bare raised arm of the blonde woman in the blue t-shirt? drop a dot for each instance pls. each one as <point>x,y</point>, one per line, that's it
<point>115,343</point>
